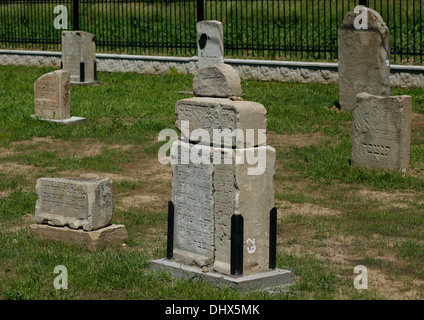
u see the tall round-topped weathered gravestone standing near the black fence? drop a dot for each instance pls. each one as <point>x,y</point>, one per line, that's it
<point>363,58</point>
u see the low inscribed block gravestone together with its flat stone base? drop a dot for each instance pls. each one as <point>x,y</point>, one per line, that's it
<point>76,211</point>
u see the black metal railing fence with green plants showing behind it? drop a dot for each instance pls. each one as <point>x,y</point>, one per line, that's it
<point>262,29</point>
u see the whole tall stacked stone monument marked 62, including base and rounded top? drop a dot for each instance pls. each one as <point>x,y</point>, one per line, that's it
<point>221,217</point>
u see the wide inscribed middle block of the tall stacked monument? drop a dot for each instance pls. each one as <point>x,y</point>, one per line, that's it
<point>243,123</point>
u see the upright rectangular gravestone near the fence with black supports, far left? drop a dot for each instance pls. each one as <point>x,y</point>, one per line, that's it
<point>79,56</point>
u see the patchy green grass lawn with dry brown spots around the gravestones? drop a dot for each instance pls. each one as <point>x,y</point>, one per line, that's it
<point>384,233</point>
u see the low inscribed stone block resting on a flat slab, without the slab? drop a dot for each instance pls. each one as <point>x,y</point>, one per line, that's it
<point>85,203</point>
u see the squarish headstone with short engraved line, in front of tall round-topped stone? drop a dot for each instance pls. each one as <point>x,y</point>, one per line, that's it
<point>381,133</point>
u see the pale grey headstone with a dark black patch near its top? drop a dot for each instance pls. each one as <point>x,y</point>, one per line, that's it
<point>210,43</point>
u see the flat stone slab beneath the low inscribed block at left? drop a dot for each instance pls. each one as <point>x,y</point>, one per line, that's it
<point>92,240</point>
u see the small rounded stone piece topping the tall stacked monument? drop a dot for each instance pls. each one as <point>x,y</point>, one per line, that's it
<point>217,80</point>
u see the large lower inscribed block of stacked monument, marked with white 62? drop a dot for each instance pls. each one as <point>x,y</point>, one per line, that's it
<point>206,195</point>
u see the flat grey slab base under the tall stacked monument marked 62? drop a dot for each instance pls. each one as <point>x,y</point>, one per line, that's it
<point>269,280</point>
